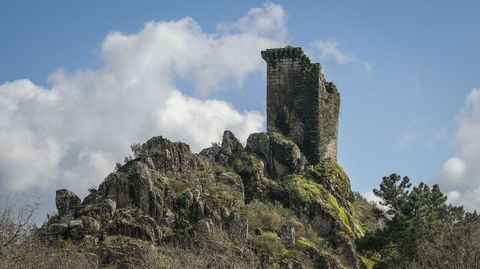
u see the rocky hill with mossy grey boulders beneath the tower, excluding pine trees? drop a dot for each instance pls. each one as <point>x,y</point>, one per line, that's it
<point>230,206</point>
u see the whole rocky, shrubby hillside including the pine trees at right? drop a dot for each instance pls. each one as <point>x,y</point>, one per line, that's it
<point>168,208</point>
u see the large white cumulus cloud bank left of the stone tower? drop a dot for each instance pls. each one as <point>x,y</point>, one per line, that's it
<point>71,133</point>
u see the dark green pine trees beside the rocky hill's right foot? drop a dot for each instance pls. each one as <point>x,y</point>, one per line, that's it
<point>421,229</point>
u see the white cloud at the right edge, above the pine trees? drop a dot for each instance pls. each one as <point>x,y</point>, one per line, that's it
<point>460,175</point>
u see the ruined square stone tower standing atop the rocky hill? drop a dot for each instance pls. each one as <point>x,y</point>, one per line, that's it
<point>301,104</point>
